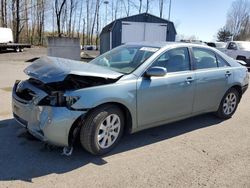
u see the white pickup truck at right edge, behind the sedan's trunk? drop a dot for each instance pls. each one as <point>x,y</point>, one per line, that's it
<point>239,50</point>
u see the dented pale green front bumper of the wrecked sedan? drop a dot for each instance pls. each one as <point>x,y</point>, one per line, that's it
<point>47,123</point>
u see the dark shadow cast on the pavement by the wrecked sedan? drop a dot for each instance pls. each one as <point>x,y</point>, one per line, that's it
<point>23,158</point>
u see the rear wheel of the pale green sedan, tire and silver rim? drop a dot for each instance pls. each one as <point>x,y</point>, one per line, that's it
<point>229,104</point>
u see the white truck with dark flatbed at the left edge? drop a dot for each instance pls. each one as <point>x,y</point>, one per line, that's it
<point>6,41</point>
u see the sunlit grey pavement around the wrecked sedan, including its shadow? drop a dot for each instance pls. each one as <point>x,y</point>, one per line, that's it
<point>198,152</point>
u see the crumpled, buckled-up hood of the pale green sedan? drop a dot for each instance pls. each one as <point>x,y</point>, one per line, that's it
<point>53,69</point>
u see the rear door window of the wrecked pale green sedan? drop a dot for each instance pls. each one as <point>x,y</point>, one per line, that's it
<point>204,58</point>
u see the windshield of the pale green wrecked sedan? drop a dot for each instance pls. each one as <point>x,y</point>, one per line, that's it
<point>125,59</point>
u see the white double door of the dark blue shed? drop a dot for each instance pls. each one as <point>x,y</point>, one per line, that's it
<point>140,31</point>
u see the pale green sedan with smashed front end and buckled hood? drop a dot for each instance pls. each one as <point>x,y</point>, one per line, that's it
<point>130,88</point>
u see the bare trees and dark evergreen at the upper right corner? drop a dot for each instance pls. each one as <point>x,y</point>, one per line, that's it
<point>237,25</point>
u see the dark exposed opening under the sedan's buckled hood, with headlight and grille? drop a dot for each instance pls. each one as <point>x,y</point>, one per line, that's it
<point>55,90</point>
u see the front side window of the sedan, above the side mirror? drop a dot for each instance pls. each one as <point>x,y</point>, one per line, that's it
<point>174,60</point>
